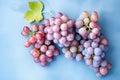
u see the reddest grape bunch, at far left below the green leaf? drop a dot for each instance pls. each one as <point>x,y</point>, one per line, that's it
<point>43,50</point>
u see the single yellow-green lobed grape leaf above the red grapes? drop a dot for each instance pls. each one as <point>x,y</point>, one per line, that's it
<point>35,14</point>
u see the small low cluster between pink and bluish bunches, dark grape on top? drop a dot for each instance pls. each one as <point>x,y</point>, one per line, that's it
<point>75,49</point>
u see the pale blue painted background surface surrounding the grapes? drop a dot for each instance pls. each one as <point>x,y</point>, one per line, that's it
<point>17,64</point>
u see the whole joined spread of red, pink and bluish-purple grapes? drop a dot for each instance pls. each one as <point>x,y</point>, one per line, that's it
<point>80,39</point>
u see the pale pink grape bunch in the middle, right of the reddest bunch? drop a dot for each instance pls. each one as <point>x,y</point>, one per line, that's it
<point>60,30</point>
